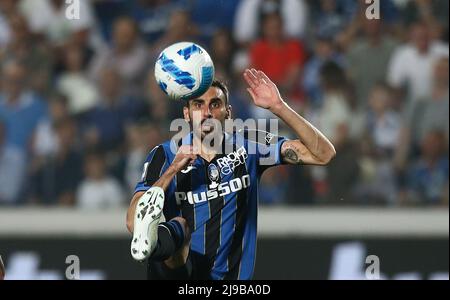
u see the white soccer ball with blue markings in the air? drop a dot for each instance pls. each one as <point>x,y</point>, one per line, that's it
<point>184,71</point>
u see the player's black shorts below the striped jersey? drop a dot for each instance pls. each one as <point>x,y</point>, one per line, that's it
<point>197,267</point>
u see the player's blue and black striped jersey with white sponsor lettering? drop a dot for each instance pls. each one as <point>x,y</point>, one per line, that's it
<point>218,198</point>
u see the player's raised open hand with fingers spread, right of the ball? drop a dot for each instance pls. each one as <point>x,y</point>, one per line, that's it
<point>263,91</point>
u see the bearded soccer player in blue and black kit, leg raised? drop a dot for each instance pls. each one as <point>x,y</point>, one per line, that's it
<point>194,213</point>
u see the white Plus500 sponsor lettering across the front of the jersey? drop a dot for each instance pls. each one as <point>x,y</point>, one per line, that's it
<point>223,189</point>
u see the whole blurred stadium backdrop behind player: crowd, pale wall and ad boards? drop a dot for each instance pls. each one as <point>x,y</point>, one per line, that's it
<point>79,111</point>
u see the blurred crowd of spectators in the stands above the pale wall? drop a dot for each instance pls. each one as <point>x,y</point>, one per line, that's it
<point>80,109</point>
